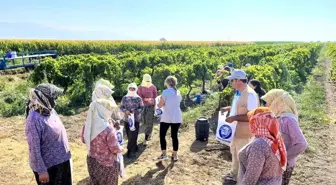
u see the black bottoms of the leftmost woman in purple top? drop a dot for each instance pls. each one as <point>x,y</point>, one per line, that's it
<point>58,175</point>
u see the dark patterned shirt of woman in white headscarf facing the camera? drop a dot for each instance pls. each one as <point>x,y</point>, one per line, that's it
<point>134,105</point>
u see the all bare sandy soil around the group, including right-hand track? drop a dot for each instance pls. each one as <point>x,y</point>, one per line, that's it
<point>201,163</point>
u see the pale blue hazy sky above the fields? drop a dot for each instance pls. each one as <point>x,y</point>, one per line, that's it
<point>201,20</point>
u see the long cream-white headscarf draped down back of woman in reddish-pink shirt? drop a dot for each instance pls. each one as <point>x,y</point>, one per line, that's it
<point>99,113</point>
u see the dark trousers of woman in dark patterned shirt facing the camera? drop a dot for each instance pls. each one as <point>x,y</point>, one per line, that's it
<point>132,136</point>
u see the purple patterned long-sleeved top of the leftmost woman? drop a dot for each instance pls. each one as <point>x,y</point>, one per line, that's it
<point>47,141</point>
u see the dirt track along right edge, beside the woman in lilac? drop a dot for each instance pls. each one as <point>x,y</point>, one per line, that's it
<point>319,167</point>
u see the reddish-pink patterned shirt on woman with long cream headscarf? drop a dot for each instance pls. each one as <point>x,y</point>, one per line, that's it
<point>105,147</point>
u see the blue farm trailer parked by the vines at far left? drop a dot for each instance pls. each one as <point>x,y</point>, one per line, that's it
<point>27,60</point>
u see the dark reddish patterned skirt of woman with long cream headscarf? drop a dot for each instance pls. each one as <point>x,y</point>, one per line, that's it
<point>102,175</point>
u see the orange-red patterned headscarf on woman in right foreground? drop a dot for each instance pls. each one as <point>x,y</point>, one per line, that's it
<point>264,124</point>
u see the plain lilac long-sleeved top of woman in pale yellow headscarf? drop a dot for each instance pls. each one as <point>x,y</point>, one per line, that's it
<point>293,137</point>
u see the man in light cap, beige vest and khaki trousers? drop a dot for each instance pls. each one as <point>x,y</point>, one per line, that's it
<point>245,99</point>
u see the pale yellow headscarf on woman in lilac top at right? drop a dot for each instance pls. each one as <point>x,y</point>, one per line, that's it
<point>280,102</point>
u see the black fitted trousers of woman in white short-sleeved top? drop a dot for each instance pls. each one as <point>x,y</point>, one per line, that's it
<point>174,134</point>
